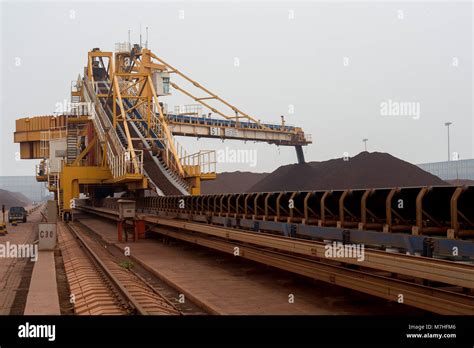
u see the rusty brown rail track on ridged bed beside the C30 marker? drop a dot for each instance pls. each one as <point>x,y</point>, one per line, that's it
<point>101,285</point>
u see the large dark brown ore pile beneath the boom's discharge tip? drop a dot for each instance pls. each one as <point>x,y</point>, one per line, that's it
<point>366,170</point>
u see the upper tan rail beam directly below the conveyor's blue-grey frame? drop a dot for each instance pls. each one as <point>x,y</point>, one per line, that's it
<point>437,270</point>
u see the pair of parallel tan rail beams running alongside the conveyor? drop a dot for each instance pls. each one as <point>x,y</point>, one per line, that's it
<point>439,286</point>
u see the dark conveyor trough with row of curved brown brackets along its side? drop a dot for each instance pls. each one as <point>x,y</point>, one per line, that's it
<point>443,211</point>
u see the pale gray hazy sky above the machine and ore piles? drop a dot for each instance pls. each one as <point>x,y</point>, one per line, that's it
<point>404,52</point>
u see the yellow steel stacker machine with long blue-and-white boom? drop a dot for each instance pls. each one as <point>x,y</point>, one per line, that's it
<point>117,136</point>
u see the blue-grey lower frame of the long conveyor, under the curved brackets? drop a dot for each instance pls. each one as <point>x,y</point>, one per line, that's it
<point>410,243</point>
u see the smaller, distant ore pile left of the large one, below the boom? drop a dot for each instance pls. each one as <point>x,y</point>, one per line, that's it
<point>231,182</point>
